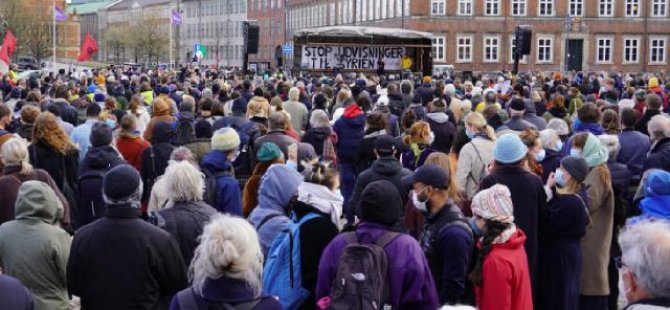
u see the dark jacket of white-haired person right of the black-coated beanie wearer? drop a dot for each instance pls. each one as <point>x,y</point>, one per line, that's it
<point>185,222</point>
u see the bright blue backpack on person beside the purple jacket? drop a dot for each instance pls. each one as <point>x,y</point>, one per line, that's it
<point>283,268</point>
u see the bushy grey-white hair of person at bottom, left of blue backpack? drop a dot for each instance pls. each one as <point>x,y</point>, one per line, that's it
<point>228,247</point>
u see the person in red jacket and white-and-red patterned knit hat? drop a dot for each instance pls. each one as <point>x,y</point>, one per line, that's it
<point>501,275</point>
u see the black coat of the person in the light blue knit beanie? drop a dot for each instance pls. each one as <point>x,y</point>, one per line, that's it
<point>529,199</point>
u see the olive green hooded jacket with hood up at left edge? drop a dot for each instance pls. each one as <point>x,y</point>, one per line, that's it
<point>34,249</point>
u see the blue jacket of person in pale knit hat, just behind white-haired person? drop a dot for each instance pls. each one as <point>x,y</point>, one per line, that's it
<point>229,198</point>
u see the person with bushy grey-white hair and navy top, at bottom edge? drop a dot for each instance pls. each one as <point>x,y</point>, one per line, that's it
<point>226,269</point>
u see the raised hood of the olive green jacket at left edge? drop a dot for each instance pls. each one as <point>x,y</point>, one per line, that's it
<point>37,201</point>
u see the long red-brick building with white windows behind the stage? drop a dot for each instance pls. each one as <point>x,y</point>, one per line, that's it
<point>478,35</point>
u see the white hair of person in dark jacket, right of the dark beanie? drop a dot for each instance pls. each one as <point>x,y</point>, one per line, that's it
<point>184,182</point>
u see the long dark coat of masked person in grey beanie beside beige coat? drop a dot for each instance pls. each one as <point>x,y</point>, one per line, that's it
<point>563,226</point>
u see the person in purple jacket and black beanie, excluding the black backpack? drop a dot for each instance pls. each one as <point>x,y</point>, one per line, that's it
<point>409,280</point>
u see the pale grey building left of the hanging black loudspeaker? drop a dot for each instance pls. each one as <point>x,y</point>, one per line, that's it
<point>217,25</point>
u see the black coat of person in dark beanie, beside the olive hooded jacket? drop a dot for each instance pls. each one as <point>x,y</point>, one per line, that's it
<point>123,262</point>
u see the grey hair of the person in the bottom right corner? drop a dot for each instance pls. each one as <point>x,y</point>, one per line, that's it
<point>645,248</point>
